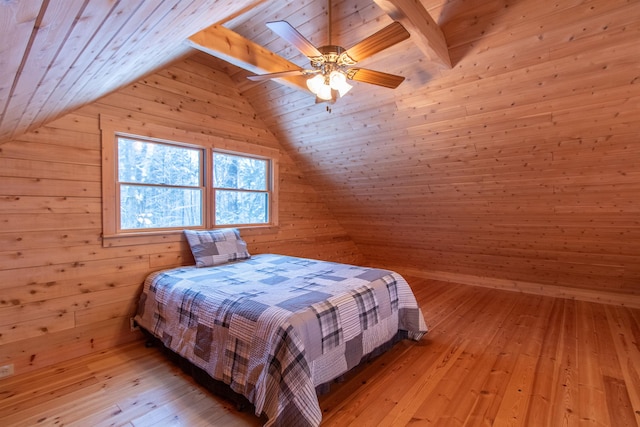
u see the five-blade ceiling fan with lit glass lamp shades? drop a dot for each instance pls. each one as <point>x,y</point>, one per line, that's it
<point>332,66</point>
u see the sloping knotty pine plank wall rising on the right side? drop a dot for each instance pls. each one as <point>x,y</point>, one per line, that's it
<point>516,168</point>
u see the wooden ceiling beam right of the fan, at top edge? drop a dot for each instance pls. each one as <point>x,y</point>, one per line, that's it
<point>425,32</point>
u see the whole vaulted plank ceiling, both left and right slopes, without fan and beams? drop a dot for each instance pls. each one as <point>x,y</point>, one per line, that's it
<point>518,163</point>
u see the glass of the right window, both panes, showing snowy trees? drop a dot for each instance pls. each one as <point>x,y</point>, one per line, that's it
<point>241,186</point>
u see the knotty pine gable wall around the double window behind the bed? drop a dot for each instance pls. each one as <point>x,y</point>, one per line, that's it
<point>62,294</point>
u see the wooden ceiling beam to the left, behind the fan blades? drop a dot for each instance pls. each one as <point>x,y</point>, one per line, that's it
<point>237,50</point>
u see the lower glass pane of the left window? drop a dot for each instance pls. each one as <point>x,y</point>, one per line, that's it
<point>159,207</point>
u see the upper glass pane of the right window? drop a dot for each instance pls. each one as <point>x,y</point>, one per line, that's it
<point>244,173</point>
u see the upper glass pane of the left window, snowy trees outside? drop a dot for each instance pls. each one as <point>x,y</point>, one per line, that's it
<point>146,162</point>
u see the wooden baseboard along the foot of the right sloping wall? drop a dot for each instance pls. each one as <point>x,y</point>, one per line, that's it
<point>625,300</point>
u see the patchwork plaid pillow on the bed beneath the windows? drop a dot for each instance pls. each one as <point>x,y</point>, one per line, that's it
<point>215,247</point>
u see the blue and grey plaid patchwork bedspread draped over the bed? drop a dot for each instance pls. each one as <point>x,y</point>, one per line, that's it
<point>274,327</point>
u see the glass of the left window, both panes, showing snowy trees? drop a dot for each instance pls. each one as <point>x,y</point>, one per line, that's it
<point>160,185</point>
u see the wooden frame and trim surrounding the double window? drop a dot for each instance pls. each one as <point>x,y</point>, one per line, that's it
<point>111,128</point>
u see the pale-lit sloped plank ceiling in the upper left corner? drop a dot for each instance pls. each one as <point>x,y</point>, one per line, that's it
<point>59,55</point>
